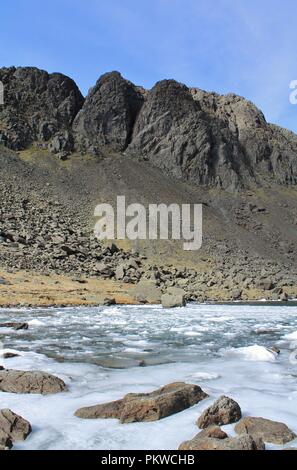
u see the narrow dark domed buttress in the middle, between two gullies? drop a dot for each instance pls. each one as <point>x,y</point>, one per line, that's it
<point>108,115</point>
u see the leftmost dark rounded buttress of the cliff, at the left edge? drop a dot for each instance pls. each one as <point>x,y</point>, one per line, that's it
<point>39,107</point>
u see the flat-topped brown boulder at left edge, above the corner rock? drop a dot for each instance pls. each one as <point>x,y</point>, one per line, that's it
<point>18,381</point>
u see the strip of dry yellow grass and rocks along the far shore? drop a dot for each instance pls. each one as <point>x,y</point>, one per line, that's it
<point>23,289</point>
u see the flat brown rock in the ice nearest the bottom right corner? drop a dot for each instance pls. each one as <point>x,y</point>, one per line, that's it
<point>269,431</point>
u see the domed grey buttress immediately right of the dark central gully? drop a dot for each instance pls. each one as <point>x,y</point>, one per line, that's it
<point>172,132</point>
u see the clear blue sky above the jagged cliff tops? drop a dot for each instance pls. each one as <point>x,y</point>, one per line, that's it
<point>244,46</point>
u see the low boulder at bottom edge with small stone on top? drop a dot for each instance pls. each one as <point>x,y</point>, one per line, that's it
<point>213,438</point>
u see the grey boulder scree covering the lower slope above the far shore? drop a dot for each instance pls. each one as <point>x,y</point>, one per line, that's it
<point>48,237</point>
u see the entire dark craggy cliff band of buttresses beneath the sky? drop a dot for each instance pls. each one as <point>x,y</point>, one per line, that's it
<point>192,135</point>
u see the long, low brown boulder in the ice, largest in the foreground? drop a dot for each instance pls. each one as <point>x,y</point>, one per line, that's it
<point>153,406</point>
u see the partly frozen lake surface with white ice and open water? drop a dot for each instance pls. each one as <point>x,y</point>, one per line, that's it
<point>97,351</point>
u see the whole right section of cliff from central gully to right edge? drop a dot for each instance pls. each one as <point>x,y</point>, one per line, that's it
<point>212,140</point>
